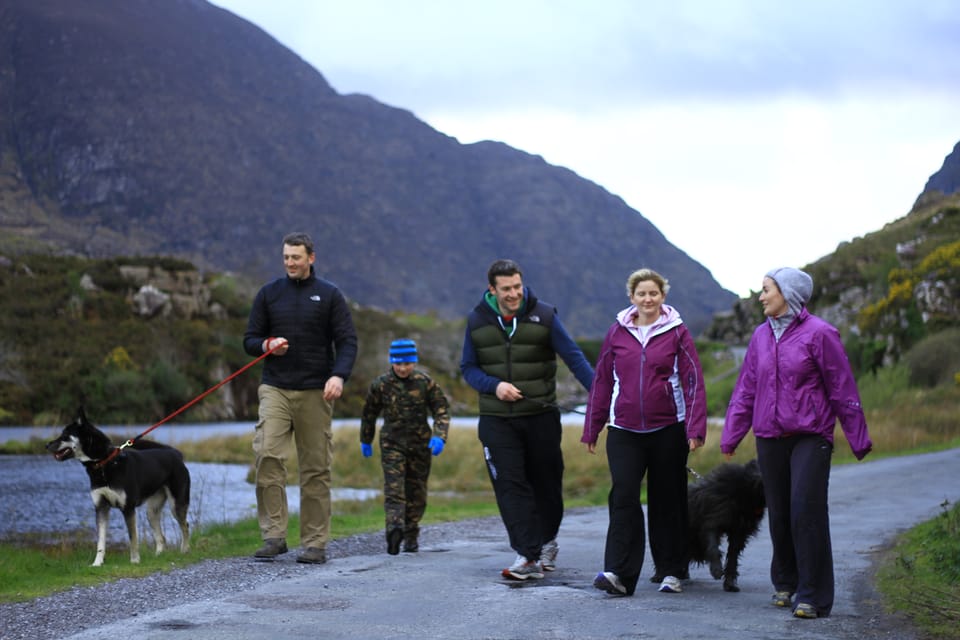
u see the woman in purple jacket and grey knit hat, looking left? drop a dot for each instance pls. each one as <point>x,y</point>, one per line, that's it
<point>794,385</point>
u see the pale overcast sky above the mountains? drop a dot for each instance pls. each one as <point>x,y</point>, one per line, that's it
<point>752,133</point>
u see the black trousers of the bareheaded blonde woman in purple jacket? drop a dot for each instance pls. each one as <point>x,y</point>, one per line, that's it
<point>631,455</point>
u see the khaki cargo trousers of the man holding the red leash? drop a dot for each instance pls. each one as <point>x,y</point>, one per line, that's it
<point>305,417</point>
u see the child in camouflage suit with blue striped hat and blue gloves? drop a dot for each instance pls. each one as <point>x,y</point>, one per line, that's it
<point>404,395</point>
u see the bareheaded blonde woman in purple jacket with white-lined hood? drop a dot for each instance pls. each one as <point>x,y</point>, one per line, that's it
<point>648,388</point>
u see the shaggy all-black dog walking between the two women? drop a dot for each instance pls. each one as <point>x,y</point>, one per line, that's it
<point>728,502</point>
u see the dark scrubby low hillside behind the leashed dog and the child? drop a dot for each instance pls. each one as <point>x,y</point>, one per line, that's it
<point>70,334</point>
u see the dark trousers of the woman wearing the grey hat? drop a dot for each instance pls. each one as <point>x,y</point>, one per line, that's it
<point>796,478</point>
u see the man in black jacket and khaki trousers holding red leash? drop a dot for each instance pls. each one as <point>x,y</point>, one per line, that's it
<point>305,323</point>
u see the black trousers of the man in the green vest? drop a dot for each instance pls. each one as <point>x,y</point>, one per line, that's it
<point>525,465</point>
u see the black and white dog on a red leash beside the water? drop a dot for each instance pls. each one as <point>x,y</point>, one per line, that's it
<point>146,473</point>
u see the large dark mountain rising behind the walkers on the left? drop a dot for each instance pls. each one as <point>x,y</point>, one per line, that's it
<point>135,127</point>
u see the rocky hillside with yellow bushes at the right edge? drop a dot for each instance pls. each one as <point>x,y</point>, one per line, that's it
<point>886,291</point>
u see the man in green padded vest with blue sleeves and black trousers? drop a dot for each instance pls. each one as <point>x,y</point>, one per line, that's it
<point>510,357</point>
